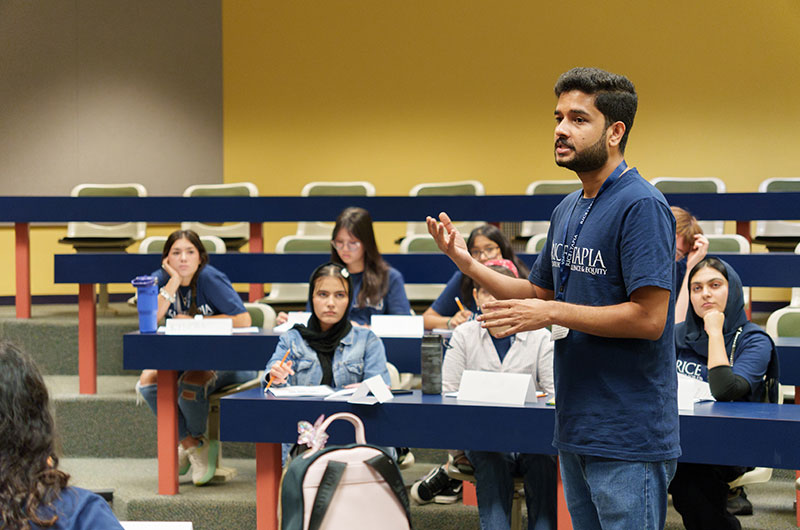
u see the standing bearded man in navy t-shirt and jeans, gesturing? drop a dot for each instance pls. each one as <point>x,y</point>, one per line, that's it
<point>604,283</point>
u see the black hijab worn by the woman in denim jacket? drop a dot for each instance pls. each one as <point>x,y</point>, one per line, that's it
<point>326,342</point>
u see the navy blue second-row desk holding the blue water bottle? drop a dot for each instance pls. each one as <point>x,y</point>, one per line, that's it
<point>239,351</point>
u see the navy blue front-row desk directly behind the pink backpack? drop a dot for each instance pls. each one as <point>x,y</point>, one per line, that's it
<point>760,434</point>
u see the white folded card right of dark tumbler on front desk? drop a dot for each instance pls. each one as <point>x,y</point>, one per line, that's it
<point>497,387</point>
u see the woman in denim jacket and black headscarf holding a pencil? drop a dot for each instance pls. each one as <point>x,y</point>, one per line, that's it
<point>329,350</point>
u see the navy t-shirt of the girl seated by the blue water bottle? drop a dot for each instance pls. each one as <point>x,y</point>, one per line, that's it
<point>215,294</point>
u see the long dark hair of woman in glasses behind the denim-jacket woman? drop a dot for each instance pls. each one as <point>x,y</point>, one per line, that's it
<point>375,282</point>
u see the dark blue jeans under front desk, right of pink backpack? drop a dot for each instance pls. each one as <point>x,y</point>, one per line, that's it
<point>494,476</point>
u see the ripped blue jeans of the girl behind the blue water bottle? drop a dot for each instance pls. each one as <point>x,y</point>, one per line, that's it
<point>193,400</point>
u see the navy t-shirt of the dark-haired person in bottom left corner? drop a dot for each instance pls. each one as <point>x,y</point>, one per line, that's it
<point>80,509</point>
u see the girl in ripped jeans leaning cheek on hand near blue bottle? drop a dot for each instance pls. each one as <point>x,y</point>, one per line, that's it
<point>189,286</point>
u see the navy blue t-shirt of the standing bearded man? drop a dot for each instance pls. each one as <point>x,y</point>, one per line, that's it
<point>617,398</point>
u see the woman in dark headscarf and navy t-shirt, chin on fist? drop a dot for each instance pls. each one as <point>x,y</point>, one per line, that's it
<point>716,343</point>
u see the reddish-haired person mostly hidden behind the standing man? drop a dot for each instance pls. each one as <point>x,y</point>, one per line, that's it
<point>691,247</point>
